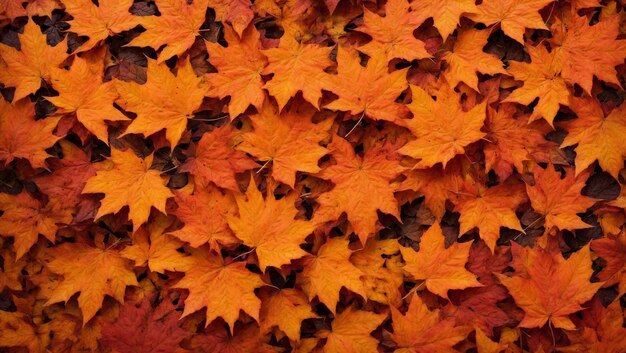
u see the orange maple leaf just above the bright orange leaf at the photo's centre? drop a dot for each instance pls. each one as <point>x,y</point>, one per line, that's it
<point>289,140</point>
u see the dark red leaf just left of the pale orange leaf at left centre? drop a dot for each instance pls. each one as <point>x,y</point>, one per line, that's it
<point>69,175</point>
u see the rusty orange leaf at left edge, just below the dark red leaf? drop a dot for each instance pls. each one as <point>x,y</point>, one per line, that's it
<point>24,218</point>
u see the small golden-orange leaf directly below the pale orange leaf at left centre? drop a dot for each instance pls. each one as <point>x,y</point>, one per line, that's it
<point>154,248</point>
